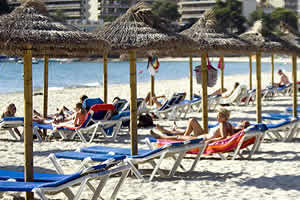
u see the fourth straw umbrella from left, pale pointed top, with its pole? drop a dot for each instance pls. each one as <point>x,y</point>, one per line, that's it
<point>265,41</point>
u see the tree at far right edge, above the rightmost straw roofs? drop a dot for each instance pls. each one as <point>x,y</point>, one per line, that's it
<point>285,15</point>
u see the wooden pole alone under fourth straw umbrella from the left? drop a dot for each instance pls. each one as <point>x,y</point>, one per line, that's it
<point>258,87</point>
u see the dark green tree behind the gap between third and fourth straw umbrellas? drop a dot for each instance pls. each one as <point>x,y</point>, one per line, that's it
<point>229,16</point>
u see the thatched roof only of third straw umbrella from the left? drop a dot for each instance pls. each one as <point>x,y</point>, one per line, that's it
<point>205,28</point>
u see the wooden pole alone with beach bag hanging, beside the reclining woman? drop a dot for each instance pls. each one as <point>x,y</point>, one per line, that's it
<point>204,91</point>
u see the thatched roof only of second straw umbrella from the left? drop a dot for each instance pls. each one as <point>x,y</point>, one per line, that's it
<point>139,29</point>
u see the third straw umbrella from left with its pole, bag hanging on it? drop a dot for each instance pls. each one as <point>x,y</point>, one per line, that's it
<point>205,28</point>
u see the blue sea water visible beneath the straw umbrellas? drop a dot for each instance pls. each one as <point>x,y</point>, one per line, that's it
<point>89,74</point>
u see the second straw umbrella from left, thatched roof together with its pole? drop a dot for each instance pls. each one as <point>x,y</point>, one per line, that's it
<point>138,30</point>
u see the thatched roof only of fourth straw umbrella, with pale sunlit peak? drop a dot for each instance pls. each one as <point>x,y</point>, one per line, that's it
<point>267,41</point>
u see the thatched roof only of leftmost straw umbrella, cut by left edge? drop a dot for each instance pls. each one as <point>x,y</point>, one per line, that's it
<point>30,25</point>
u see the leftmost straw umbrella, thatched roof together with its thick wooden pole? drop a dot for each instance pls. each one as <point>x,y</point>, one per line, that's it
<point>30,30</point>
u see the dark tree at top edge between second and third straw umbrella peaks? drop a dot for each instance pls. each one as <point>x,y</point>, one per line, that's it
<point>167,9</point>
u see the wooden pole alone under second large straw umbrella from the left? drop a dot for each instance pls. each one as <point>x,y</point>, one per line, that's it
<point>133,105</point>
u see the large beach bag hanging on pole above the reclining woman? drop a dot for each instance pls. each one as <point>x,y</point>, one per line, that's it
<point>212,74</point>
